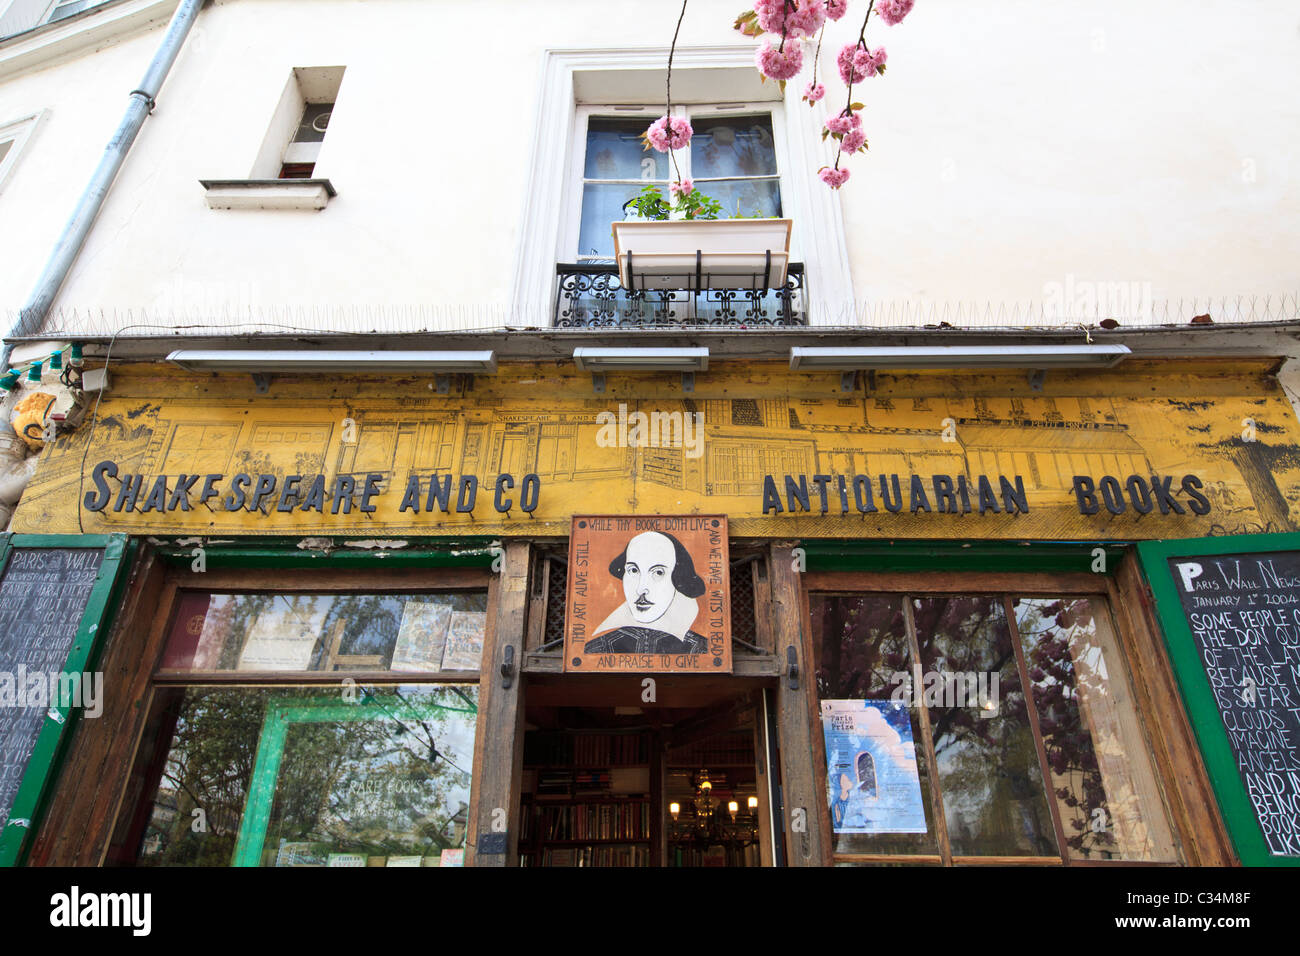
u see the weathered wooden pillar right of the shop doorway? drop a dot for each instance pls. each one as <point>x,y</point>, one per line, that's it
<point>803,782</point>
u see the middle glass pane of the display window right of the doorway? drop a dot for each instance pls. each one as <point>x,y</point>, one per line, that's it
<point>989,767</point>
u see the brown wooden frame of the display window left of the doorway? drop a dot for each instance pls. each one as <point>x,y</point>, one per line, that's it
<point>81,824</point>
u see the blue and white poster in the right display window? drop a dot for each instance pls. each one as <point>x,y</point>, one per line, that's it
<point>873,784</point>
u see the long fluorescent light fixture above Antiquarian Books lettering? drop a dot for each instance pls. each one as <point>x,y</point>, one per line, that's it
<point>1037,357</point>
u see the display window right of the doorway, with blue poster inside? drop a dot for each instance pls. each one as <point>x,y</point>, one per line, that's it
<point>981,726</point>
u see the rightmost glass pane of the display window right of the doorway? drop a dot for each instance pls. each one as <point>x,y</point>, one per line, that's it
<point>1102,780</point>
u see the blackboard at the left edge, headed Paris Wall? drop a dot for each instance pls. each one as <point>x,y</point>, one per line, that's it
<point>44,596</point>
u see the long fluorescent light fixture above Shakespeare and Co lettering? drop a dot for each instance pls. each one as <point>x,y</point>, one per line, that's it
<point>337,361</point>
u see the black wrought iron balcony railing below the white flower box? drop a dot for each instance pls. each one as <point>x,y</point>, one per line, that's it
<point>590,297</point>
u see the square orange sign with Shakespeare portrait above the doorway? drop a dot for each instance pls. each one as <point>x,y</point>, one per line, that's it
<point>648,594</point>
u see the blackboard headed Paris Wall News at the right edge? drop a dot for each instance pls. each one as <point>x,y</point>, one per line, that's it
<point>1243,613</point>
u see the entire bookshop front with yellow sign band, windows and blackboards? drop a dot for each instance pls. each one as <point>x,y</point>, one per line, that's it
<point>950,618</point>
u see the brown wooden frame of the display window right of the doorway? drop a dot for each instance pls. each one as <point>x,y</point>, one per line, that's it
<point>1004,589</point>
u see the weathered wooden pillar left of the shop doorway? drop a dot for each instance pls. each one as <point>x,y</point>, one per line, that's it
<point>500,734</point>
